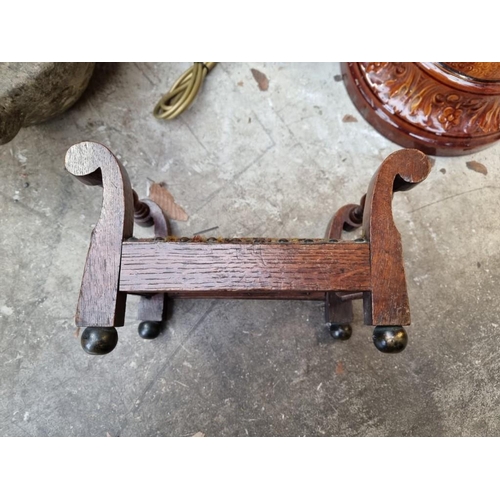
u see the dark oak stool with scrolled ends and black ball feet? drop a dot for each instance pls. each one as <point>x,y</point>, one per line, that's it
<point>329,270</point>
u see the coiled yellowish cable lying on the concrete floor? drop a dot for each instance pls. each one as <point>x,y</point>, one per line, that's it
<point>183,92</point>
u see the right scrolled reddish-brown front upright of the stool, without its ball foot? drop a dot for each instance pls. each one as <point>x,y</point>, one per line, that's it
<point>387,302</point>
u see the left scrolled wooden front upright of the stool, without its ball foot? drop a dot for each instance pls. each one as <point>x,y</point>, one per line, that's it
<point>100,302</point>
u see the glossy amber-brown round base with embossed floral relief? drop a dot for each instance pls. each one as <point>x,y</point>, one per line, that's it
<point>445,109</point>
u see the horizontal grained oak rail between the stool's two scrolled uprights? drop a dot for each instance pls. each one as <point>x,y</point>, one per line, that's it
<point>152,267</point>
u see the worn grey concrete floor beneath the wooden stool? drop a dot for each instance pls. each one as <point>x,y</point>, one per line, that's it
<point>254,163</point>
